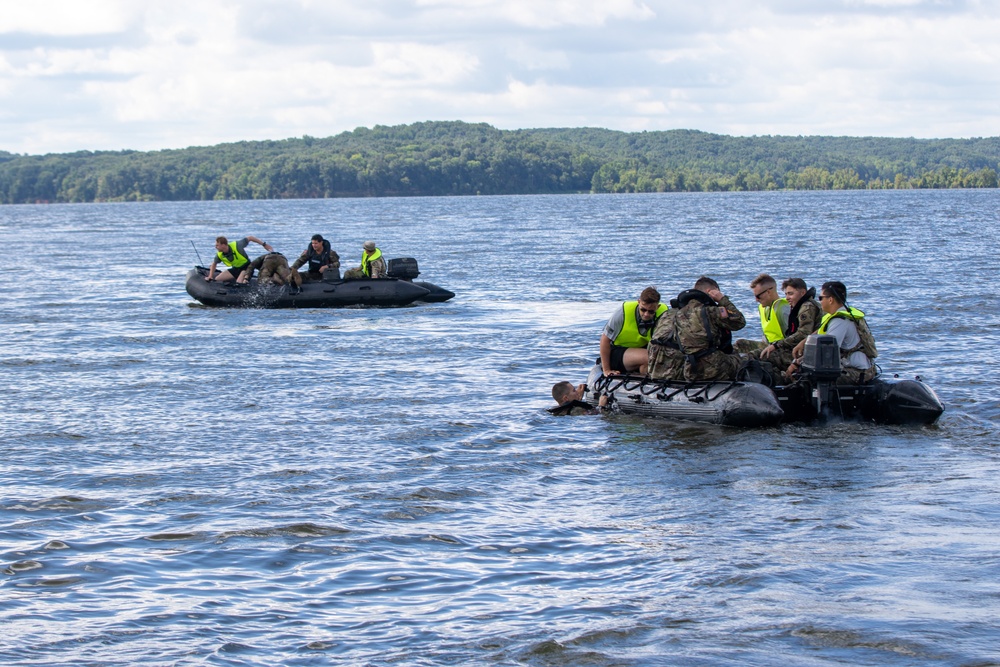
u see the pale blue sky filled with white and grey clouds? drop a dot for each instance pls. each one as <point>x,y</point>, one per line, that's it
<point>152,74</point>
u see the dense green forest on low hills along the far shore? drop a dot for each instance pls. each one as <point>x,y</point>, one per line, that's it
<point>456,158</point>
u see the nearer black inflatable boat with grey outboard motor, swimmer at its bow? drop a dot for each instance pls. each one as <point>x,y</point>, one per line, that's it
<point>815,396</point>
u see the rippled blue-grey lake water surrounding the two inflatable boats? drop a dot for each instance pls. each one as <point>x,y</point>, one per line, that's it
<point>182,485</point>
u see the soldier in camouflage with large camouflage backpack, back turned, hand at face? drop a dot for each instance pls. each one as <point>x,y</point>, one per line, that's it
<point>693,341</point>
